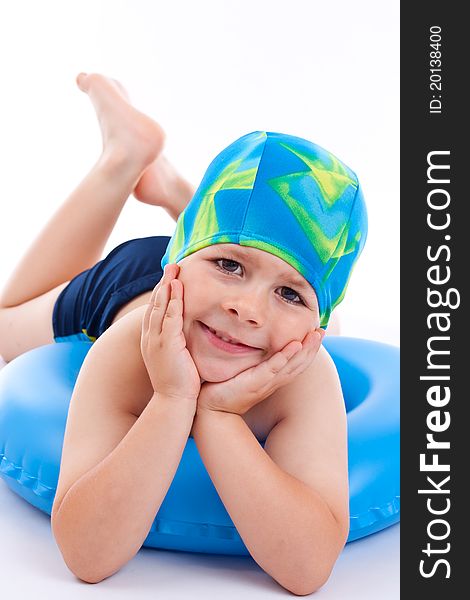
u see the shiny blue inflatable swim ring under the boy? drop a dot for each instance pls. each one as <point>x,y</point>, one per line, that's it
<point>35,391</point>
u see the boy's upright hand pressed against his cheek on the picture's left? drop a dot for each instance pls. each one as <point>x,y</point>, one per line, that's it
<point>169,364</point>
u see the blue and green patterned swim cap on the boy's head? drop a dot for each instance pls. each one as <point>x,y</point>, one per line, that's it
<point>284,195</point>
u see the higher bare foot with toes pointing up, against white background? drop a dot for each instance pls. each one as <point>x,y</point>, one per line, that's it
<point>125,130</point>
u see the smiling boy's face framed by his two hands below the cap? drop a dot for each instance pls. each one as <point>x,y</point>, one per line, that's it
<point>251,295</point>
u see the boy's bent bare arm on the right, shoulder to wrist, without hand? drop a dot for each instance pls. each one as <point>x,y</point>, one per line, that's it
<point>290,501</point>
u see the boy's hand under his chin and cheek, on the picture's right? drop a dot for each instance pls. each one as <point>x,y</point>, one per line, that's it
<point>238,394</point>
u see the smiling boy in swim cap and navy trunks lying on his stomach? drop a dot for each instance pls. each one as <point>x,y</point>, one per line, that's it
<point>209,352</point>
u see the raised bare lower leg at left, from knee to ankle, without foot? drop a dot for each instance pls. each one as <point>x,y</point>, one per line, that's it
<point>74,237</point>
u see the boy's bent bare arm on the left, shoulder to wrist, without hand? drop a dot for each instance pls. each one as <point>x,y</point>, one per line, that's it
<point>116,468</point>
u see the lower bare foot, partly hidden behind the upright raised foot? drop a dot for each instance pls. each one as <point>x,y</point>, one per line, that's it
<point>161,185</point>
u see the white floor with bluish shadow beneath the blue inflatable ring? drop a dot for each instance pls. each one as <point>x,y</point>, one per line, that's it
<point>31,561</point>
